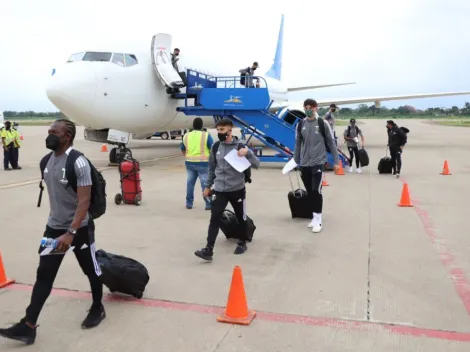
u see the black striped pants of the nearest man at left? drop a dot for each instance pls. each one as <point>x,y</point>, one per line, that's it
<point>49,267</point>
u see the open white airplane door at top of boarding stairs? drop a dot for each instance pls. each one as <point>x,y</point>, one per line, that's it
<point>161,58</point>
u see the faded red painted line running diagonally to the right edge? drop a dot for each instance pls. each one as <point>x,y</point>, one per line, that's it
<point>454,270</point>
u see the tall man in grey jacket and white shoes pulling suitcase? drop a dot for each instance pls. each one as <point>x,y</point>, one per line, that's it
<point>310,154</point>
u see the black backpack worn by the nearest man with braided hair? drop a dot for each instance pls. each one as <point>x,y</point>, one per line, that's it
<point>98,188</point>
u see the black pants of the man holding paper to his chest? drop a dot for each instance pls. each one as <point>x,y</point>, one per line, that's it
<point>238,201</point>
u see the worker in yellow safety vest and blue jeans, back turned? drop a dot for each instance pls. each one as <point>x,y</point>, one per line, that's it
<point>196,147</point>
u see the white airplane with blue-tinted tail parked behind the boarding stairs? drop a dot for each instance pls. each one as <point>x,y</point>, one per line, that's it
<point>123,95</point>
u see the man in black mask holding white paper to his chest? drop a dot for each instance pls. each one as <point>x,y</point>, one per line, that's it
<point>229,186</point>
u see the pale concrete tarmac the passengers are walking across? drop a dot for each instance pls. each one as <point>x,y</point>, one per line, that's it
<point>379,277</point>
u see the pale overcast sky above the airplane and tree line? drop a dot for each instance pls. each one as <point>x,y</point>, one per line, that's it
<point>387,47</point>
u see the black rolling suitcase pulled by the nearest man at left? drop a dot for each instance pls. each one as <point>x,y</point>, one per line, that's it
<point>122,274</point>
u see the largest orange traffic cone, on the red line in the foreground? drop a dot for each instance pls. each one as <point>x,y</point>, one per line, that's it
<point>237,311</point>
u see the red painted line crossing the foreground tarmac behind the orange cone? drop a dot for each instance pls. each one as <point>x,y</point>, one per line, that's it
<point>356,325</point>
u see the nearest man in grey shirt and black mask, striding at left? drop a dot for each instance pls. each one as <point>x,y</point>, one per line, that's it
<point>71,225</point>
